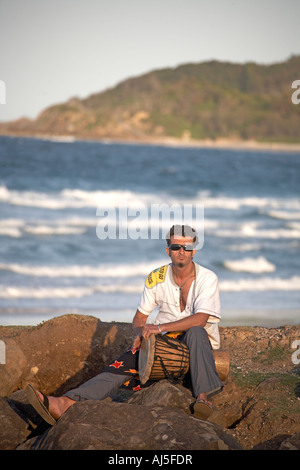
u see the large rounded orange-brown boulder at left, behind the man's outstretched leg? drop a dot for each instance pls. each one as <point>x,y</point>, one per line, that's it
<point>61,353</point>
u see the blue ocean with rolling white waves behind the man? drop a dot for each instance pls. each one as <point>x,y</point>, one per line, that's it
<point>82,223</point>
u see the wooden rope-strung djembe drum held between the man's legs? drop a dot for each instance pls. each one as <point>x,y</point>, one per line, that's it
<point>164,357</point>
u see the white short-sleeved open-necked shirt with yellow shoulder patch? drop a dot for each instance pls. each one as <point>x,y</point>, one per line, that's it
<point>161,290</point>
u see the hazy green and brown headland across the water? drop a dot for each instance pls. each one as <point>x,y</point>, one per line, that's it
<point>211,100</point>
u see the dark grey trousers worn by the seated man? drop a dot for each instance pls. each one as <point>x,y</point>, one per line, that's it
<point>202,369</point>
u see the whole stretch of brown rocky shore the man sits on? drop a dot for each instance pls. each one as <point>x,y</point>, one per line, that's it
<point>258,408</point>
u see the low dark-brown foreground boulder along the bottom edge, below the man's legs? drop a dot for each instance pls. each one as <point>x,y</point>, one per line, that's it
<point>104,425</point>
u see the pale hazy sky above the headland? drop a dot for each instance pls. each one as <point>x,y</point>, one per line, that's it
<point>53,50</point>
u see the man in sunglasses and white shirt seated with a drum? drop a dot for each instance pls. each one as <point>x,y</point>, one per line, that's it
<point>188,299</point>
